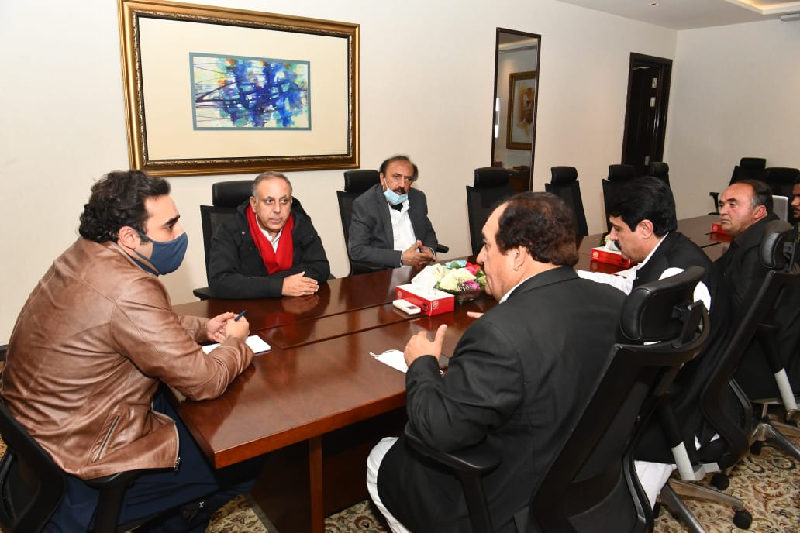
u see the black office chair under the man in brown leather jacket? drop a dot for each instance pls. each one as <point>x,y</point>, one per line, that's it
<point>32,485</point>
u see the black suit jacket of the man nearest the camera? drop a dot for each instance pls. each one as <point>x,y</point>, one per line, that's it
<point>518,381</point>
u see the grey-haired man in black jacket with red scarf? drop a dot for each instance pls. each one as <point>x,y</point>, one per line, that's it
<point>269,249</point>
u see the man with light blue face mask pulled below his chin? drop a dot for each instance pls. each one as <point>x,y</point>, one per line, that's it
<point>390,226</point>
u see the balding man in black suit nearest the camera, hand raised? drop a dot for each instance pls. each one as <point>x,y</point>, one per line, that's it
<point>517,381</point>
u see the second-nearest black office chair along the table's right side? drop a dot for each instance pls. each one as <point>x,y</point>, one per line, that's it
<point>722,403</point>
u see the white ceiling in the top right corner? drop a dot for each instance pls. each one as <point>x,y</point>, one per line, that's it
<point>688,14</point>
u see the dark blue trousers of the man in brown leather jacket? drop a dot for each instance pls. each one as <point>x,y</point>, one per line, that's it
<point>163,492</point>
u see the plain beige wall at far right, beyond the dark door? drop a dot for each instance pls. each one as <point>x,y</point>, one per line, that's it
<point>735,93</point>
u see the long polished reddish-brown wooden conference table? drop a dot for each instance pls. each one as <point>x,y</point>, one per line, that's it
<point>316,403</point>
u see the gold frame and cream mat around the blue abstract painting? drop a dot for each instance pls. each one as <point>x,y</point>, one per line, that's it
<point>157,39</point>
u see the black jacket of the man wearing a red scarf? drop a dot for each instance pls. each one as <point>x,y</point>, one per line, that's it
<point>236,270</point>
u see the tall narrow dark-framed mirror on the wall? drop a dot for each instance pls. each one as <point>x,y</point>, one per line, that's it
<point>516,93</point>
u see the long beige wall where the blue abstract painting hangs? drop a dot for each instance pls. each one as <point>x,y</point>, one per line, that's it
<point>426,90</point>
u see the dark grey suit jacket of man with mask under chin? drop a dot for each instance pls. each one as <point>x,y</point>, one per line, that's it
<point>371,237</point>
